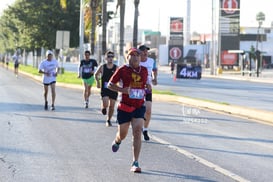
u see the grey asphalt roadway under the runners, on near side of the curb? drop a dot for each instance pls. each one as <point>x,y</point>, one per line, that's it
<point>73,144</point>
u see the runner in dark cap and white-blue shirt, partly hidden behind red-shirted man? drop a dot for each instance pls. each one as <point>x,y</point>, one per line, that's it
<point>150,64</point>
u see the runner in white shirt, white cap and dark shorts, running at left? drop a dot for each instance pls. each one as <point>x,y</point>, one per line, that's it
<point>49,68</point>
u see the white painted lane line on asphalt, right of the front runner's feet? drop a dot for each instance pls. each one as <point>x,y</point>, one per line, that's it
<point>201,160</point>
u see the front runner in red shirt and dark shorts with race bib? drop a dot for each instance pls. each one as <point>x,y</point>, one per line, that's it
<point>131,109</point>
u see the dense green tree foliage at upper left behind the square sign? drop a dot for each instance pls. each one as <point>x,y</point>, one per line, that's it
<point>34,23</point>
